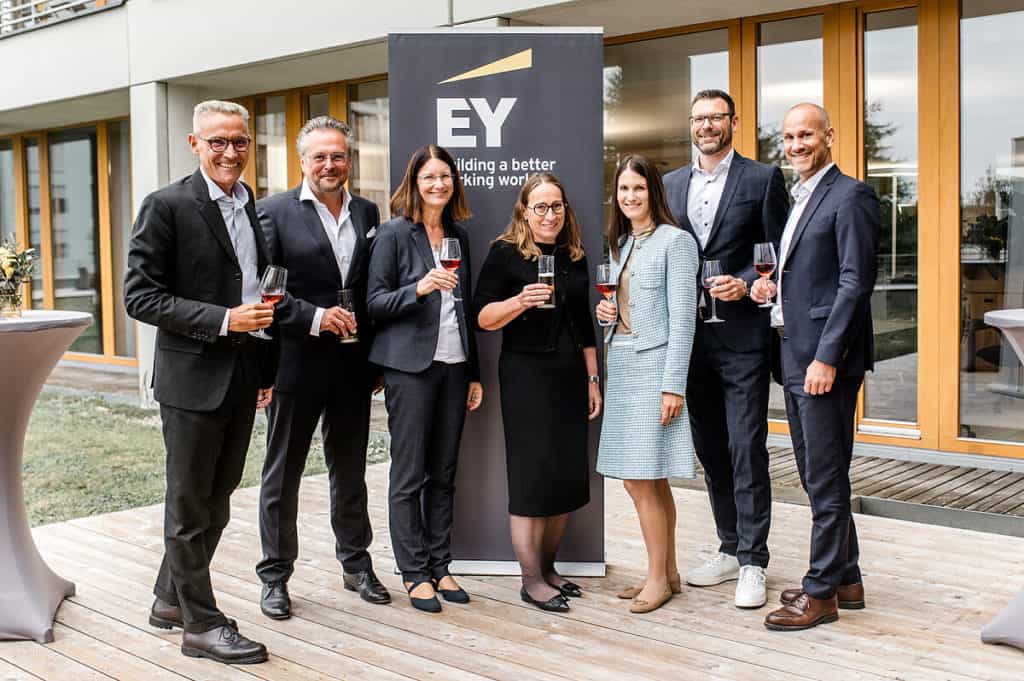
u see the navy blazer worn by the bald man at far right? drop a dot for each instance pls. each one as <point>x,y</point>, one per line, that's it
<point>828,281</point>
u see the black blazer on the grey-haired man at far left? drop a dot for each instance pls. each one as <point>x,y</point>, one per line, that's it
<point>183,278</point>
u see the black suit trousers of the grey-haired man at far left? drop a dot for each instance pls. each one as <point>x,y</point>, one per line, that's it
<point>206,455</point>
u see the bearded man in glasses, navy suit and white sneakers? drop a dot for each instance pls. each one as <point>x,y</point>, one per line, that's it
<point>730,204</point>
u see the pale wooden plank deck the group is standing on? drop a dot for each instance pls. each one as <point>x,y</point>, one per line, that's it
<point>930,591</point>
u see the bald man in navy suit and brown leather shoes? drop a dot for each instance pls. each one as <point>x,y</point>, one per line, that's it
<point>826,344</point>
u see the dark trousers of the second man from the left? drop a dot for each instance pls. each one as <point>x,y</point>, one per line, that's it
<point>292,418</point>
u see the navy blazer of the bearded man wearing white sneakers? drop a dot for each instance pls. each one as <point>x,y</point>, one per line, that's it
<point>753,210</point>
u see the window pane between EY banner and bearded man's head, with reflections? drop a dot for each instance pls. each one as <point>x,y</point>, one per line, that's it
<point>648,92</point>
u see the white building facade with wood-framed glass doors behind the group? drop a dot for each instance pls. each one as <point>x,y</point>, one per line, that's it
<point>925,98</point>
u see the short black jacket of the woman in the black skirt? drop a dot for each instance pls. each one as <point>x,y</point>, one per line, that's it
<point>503,276</point>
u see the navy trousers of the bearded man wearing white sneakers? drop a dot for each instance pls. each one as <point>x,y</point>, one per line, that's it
<point>728,399</point>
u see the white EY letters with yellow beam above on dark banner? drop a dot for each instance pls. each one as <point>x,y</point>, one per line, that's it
<point>451,111</point>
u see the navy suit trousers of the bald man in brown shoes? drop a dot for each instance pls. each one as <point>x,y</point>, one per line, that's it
<point>822,429</point>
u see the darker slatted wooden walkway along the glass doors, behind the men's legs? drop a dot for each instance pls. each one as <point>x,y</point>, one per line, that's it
<point>932,485</point>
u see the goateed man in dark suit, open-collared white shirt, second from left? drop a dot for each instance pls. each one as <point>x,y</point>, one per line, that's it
<point>321,233</point>
